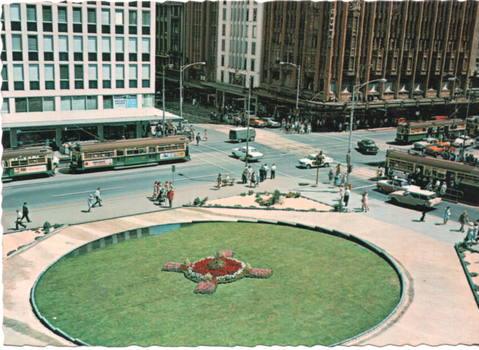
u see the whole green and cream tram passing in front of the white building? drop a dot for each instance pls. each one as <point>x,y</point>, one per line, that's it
<point>127,153</point>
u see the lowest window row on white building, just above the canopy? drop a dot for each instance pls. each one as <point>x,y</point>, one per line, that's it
<point>76,103</point>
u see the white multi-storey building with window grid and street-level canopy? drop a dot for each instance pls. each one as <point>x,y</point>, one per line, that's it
<point>74,71</point>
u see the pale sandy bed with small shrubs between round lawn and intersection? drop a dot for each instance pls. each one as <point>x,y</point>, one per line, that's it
<point>248,201</point>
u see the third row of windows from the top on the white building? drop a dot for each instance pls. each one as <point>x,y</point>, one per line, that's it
<point>78,75</point>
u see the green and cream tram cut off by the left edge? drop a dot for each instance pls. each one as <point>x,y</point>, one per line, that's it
<point>27,162</point>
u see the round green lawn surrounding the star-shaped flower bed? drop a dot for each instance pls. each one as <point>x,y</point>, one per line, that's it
<point>323,290</point>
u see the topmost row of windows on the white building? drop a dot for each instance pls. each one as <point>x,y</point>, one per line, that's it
<point>77,15</point>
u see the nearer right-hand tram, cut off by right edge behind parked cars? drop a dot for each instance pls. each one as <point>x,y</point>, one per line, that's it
<point>462,178</point>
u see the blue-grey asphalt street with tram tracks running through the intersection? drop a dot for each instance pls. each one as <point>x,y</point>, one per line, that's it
<point>62,199</point>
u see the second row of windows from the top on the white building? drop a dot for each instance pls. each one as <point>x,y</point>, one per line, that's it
<point>79,52</point>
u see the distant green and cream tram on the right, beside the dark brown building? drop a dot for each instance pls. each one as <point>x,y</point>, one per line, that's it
<point>414,131</point>
